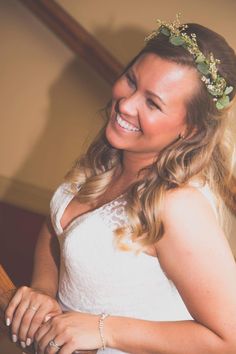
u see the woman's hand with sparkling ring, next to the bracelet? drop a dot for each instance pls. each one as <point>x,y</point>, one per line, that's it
<point>70,332</point>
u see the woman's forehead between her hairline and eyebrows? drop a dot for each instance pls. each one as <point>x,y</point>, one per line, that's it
<point>173,82</point>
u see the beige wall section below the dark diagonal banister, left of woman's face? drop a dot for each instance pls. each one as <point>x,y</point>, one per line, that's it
<point>49,100</point>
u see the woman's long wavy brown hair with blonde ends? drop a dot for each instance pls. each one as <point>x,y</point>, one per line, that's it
<point>205,151</point>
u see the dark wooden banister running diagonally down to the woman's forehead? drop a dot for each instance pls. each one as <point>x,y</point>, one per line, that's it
<point>76,37</point>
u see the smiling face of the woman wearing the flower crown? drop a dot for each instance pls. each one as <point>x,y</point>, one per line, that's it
<point>142,121</point>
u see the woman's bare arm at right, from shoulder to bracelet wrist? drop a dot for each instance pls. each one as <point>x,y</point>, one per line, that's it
<point>196,257</point>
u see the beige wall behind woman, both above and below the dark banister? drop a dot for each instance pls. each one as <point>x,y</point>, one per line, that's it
<point>50,98</point>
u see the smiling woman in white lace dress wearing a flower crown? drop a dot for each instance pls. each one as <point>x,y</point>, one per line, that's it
<point>144,264</point>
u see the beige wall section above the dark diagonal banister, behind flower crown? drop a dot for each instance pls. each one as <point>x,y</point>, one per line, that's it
<point>121,25</point>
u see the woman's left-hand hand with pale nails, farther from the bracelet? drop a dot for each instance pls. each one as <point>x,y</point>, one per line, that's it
<point>26,312</point>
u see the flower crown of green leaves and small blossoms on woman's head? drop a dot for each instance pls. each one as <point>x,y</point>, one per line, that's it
<point>216,85</point>
